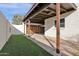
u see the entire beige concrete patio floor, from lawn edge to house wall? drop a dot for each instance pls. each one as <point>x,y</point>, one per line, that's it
<point>68,48</point>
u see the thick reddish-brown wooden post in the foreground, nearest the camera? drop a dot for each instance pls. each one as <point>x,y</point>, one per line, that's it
<point>58,28</point>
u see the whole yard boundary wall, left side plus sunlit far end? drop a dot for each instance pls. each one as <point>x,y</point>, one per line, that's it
<point>7,29</point>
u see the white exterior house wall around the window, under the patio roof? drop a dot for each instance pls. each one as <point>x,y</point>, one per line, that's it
<point>71,25</point>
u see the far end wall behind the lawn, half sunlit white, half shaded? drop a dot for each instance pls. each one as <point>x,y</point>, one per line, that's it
<point>17,29</point>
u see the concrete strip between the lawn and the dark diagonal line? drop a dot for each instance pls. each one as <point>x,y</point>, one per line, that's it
<point>44,43</point>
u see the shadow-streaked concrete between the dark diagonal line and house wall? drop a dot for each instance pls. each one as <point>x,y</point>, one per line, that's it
<point>68,47</point>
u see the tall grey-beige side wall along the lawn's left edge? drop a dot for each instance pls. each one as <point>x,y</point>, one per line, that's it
<point>5,30</point>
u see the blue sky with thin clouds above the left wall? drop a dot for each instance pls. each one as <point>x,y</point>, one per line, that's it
<point>11,9</point>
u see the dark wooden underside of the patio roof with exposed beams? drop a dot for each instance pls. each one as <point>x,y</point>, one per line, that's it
<point>46,10</point>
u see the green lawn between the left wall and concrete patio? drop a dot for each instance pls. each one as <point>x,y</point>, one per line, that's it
<point>18,45</point>
